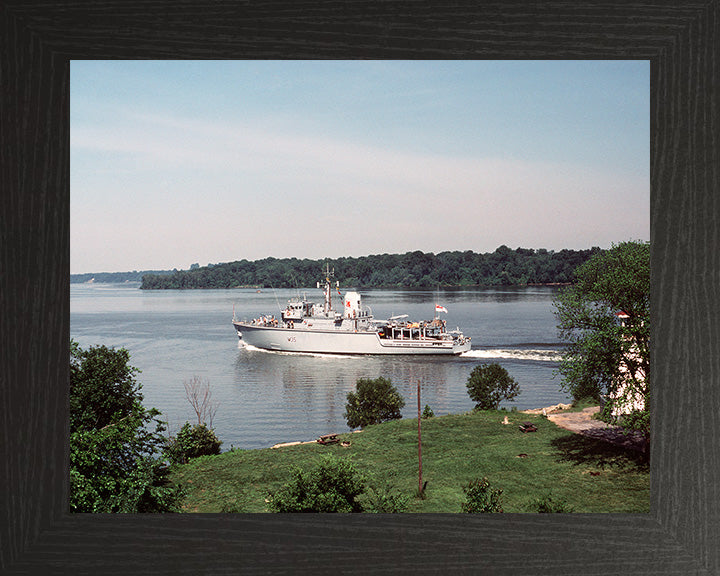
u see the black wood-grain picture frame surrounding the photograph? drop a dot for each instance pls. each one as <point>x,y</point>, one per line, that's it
<point>680,536</point>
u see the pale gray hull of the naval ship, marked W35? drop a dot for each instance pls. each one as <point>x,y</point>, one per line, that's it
<point>338,341</point>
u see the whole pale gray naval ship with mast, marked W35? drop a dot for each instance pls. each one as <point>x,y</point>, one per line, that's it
<point>309,327</point>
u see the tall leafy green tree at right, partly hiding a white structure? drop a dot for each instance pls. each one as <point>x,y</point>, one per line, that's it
<point>605,319</point>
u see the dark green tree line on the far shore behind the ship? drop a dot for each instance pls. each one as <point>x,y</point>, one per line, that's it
<point>503,267</point>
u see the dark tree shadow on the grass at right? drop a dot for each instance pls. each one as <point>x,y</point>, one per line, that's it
<point>586,451</point>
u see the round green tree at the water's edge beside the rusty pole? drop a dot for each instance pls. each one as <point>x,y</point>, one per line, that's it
<point>374,402</point>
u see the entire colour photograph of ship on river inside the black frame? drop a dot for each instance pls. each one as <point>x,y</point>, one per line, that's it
<point>367,286</point>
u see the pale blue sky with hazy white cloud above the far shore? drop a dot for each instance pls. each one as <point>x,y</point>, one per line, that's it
<point>177,162</point>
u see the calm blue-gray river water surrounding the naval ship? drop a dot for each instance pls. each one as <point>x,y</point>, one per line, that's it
<point>270,397</point>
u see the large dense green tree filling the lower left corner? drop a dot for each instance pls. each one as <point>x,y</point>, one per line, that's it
<point>116,444</point>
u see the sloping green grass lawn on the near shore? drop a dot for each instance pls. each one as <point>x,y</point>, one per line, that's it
<point>589,475</point>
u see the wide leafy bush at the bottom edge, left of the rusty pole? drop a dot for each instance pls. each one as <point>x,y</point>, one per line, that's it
<point>332,486</point>
